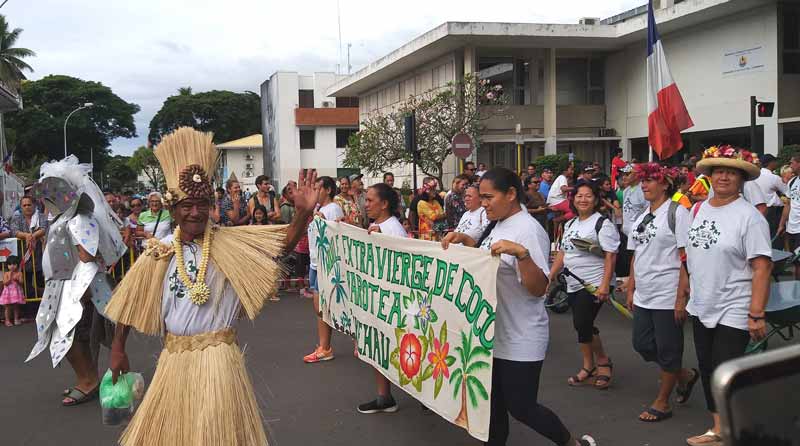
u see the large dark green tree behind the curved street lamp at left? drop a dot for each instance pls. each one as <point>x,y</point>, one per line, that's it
<point>38,129</point>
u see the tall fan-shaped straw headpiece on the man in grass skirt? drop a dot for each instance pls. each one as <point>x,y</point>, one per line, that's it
<point>188,158</point>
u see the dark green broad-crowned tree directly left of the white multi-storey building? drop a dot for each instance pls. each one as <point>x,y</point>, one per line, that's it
<point>227,114</point>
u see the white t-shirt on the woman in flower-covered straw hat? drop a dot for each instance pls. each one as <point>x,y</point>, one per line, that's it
<point>721,242</point>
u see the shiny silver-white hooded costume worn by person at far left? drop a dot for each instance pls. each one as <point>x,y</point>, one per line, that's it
<point>83,218</point>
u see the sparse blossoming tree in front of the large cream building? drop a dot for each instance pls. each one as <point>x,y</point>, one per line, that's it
<point>440,114</point>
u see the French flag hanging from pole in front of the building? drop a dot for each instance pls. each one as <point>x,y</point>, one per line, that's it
<point>667,114</point>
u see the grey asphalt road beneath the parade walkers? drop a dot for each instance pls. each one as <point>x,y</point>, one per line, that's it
<point>315,404</point>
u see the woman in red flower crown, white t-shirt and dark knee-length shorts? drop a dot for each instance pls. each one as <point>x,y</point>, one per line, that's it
<point>658,241</point>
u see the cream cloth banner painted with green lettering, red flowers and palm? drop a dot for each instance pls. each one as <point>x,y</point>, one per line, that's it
<point>422,316</point>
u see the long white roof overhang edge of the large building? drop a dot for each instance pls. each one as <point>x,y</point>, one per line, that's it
<point>451,36</point>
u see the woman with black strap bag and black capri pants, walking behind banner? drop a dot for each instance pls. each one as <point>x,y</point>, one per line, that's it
<point>587,256</point>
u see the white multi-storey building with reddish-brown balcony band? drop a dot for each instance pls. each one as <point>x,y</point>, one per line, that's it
<point>303,126</point>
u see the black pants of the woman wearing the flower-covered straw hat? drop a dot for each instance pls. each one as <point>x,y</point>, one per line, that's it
<point>715,346</point>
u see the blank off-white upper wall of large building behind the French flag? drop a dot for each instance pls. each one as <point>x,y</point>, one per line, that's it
<point>695,58</point>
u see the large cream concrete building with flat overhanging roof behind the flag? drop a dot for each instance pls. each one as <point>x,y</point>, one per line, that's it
<point>581,88</point>
